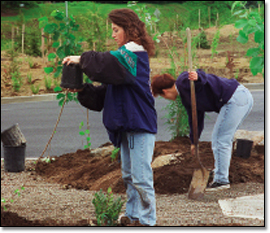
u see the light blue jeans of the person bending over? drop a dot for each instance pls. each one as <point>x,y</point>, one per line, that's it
<point>230,117</point>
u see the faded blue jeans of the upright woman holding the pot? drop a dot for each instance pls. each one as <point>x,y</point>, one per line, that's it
<point>136,157</point>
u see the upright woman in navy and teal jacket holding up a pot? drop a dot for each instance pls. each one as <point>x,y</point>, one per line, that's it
<point>129,113</point>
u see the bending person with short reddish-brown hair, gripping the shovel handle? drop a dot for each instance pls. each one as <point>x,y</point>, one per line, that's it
<point>230,99</point>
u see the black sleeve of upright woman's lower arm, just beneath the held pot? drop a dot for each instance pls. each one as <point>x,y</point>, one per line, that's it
<point>92,97</point>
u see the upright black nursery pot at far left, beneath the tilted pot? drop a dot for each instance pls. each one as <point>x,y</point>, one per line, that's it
<point>14,158</point>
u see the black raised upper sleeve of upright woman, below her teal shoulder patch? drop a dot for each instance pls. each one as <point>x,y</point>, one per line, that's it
<point>105,68</point>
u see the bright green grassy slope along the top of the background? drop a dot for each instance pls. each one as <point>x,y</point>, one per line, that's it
<point>174,16</point>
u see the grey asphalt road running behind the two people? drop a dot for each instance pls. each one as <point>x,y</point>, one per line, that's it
<point>37,120</point>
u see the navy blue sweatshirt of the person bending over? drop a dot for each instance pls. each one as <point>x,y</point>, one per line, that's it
<point>212,92</point>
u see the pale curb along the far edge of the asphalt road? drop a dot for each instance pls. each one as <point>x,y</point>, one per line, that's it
<point>52,97</point>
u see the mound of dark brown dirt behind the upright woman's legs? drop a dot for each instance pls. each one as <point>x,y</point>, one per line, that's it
<point>81,170</point>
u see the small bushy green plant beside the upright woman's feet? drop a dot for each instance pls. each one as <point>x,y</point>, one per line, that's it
<point>107,209</point>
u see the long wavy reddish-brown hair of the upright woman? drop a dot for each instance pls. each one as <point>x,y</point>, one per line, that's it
<point>134,28</point>
